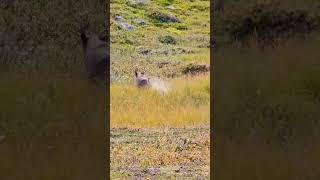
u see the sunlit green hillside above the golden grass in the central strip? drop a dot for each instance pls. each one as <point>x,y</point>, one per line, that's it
<point>142,47</point>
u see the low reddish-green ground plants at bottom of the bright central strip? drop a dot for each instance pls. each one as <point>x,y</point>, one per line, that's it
<point>167,153</point>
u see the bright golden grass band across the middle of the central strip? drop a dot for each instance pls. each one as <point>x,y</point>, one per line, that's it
<point>186,104</point>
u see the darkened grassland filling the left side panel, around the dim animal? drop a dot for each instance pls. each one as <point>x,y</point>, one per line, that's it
<point>51,118</point>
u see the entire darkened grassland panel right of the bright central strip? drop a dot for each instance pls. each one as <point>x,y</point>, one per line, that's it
<point>266,91</point>
